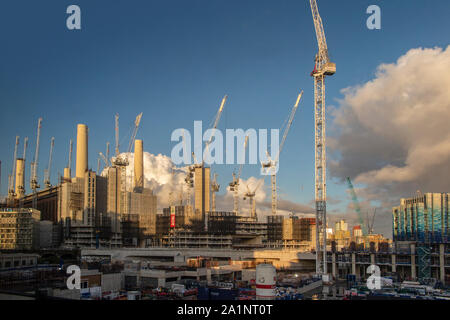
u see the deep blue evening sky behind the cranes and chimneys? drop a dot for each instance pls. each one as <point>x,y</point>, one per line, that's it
<point>175,60</point>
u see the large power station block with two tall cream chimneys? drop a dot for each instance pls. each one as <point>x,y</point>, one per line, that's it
<point>94,208</point>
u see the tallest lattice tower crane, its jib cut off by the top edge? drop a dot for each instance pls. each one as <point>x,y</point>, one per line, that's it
<point>322,68</point>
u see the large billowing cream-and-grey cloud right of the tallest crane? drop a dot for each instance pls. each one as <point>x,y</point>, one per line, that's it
<point>392,134</point>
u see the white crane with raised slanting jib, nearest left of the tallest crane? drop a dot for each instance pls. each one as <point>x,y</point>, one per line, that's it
<point>271,165</point>
